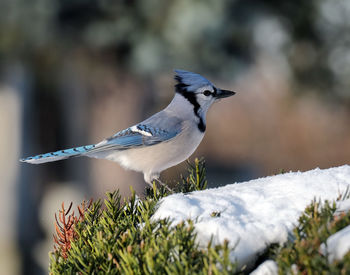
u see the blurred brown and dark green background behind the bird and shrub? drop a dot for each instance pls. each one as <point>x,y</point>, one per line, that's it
<point>75,72</point>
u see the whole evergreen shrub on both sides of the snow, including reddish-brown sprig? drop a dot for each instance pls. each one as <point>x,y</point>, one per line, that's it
<point>120,237</point>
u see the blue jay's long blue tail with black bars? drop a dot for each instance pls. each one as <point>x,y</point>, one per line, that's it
<point>58,155</point>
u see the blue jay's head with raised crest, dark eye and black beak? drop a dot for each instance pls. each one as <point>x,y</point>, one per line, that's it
<point>198,90</point>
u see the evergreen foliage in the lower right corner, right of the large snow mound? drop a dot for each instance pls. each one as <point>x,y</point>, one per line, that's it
<point>302,253</point>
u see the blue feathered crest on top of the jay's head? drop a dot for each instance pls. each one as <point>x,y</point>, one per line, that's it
<point>190,81</point>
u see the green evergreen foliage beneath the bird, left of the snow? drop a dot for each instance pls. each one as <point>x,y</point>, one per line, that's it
<point>122,238</point>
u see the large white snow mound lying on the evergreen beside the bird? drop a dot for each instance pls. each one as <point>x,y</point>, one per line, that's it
<point>251,215</point>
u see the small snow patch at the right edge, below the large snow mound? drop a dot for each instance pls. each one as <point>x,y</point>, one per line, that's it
<point>337,245</point>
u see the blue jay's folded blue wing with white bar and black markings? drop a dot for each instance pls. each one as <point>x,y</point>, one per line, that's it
<point>137,136</point>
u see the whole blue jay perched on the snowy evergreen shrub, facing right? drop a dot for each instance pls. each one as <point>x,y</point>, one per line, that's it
<point>161,141</point>
